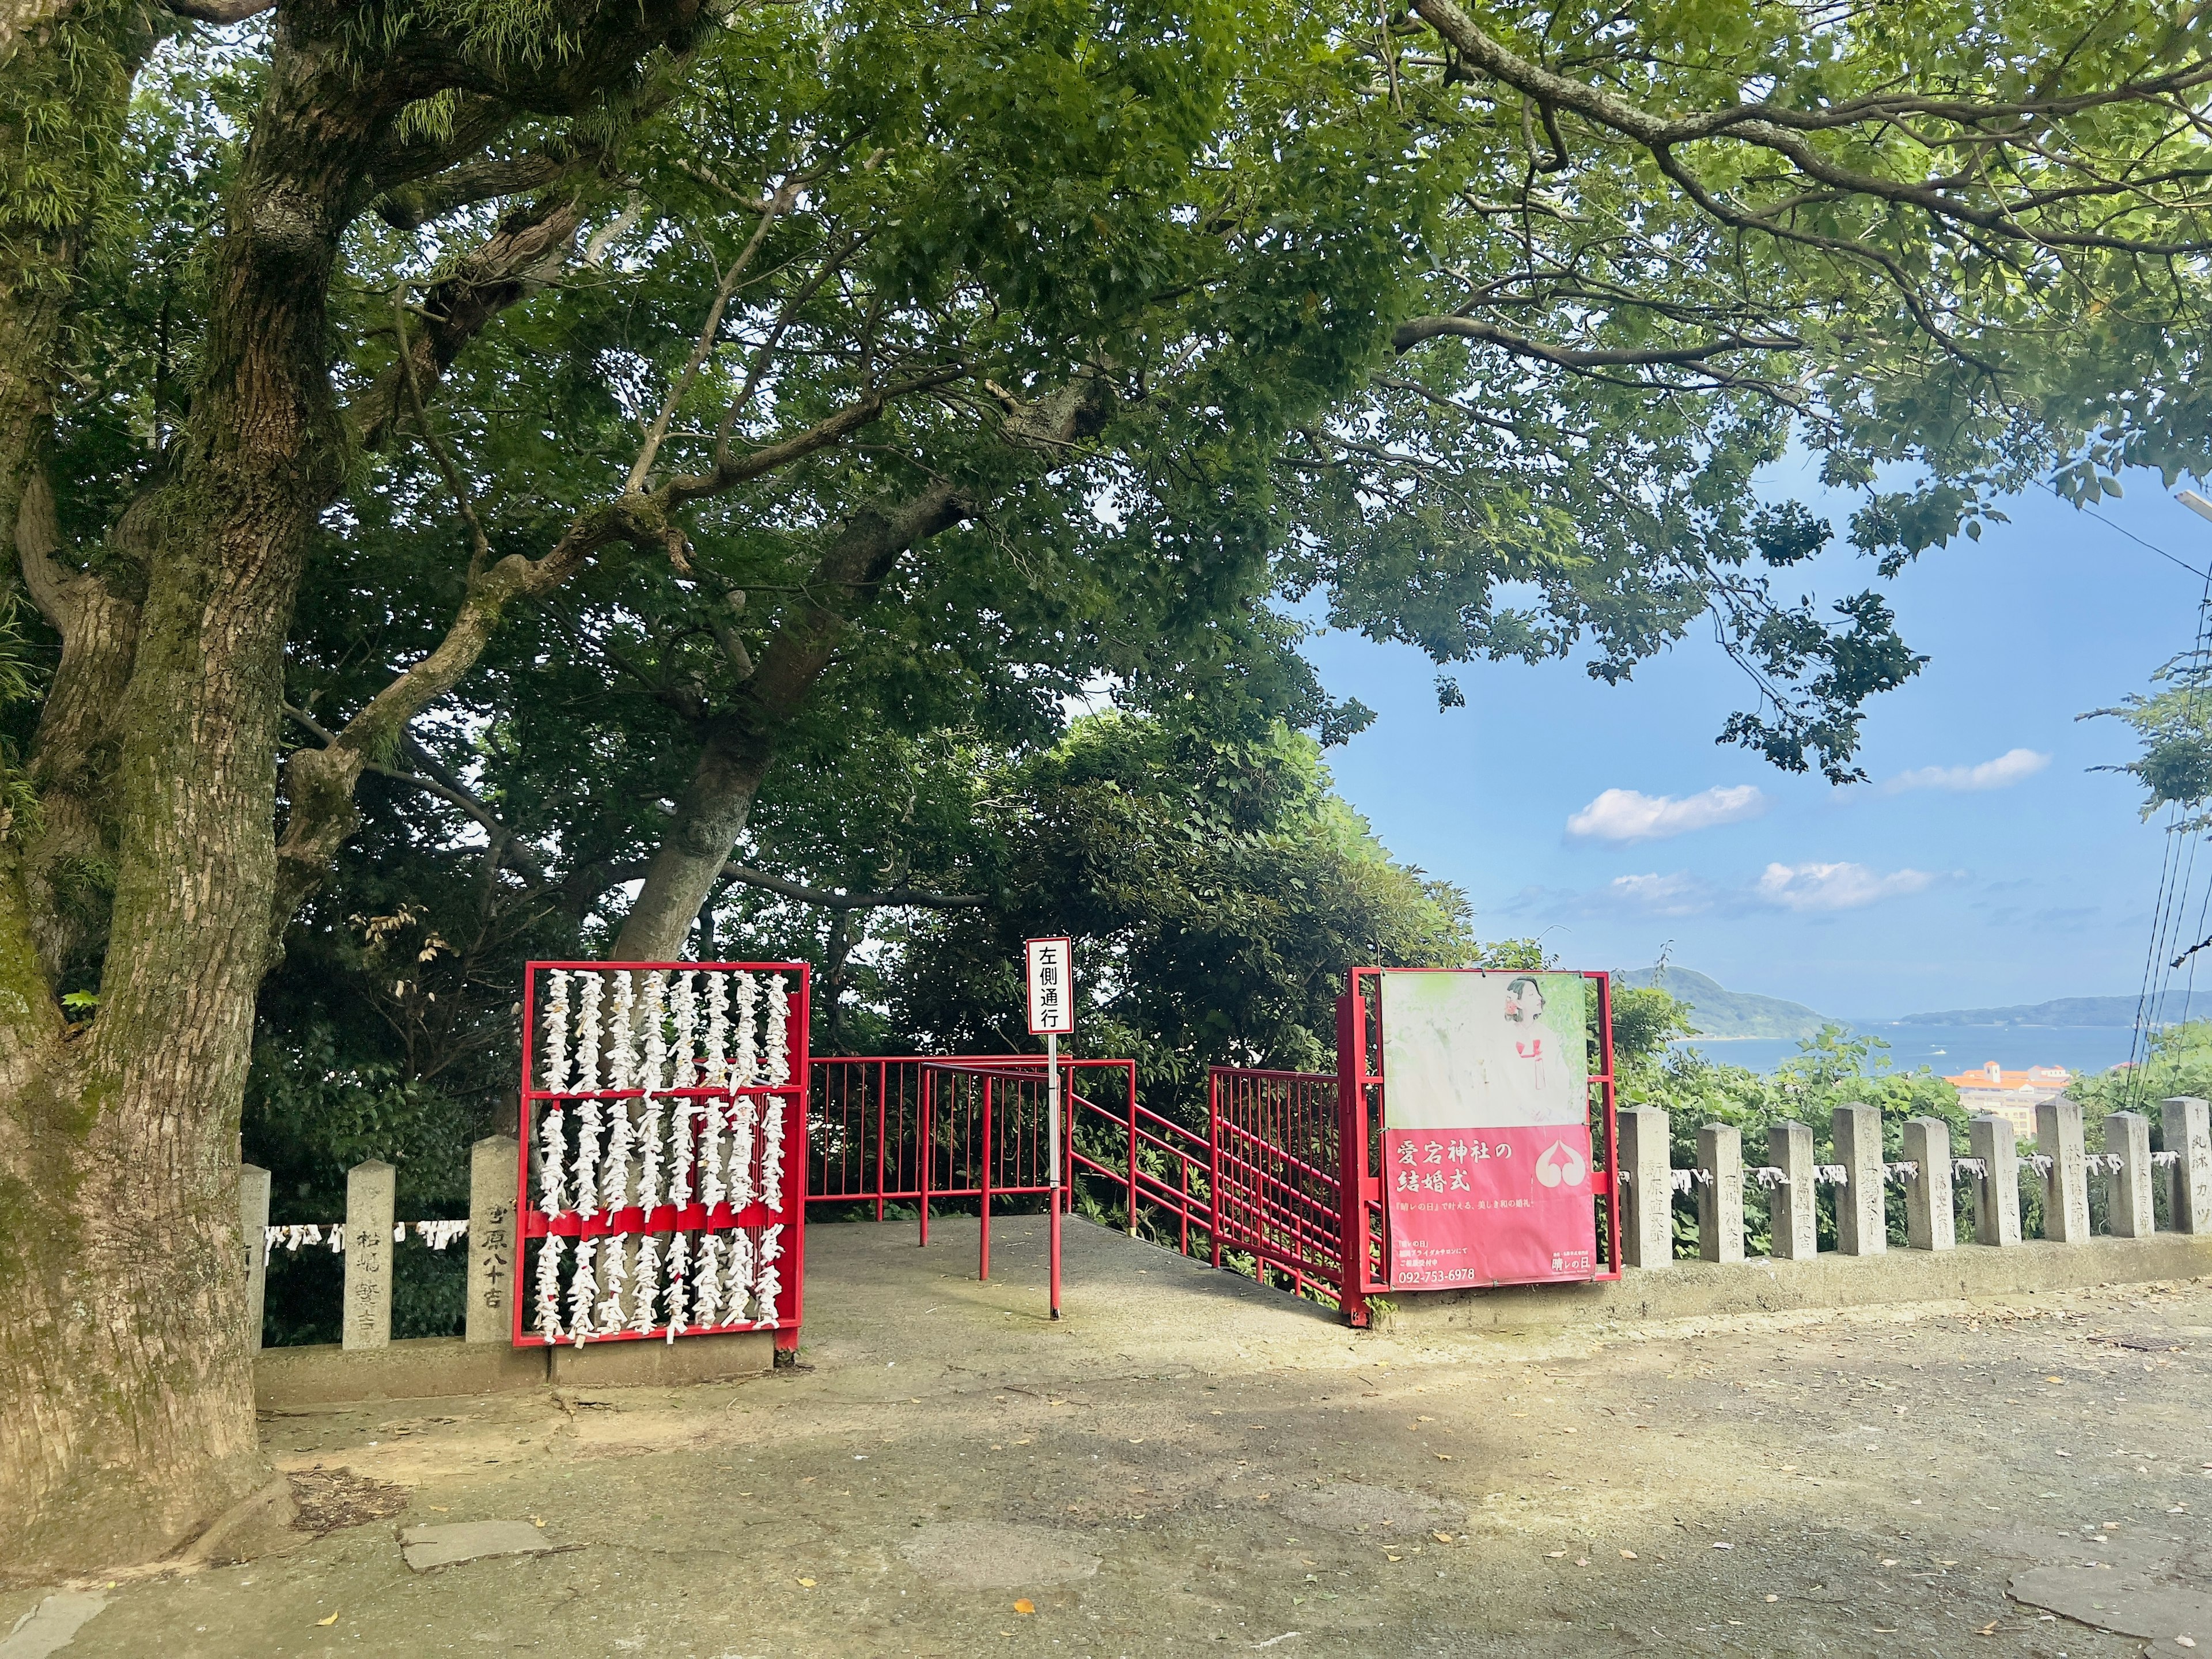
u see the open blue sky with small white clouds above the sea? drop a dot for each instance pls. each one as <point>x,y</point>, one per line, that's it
<point>1939,886</point>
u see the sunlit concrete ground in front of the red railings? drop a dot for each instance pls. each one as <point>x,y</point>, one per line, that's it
<point>1191,1463</point>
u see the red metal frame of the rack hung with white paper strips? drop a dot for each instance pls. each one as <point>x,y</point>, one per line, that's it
<point>669,1220</point>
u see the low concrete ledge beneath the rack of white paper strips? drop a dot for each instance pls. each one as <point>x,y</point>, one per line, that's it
<point>428,1368</point>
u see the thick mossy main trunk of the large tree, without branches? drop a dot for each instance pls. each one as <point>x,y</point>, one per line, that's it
<point>129,1410</point>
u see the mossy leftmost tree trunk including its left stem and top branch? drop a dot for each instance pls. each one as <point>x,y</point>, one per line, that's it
<point>127,1412</point>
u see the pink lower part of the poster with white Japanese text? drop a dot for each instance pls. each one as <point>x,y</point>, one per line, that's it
<point>1490,1207</point>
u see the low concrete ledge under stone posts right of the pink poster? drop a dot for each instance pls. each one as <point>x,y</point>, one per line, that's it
<point>1771,1286</point>
